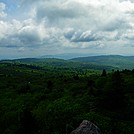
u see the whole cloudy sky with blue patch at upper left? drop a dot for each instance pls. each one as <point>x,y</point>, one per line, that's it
<point>32,28</point>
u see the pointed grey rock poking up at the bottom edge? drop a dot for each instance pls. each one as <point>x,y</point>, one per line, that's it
<point>87,127</point>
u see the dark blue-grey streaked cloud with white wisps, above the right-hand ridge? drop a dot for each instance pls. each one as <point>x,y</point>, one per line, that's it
<point>91,36</point>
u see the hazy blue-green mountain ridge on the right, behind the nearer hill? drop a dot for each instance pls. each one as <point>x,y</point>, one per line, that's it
<point>122,62</point>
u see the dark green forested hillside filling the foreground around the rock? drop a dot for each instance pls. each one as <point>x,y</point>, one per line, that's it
<point>40,99</point>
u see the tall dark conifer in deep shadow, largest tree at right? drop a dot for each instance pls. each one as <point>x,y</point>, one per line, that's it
<point>114,98</point>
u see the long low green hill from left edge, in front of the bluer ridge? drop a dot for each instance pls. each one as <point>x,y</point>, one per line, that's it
<point>58,63</point>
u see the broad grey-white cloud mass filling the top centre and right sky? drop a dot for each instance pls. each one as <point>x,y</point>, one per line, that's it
<point>83,16</point>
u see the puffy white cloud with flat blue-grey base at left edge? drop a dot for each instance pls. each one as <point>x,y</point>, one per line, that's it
<point>19,34</point>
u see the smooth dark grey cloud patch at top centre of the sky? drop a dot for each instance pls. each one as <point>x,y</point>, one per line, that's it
<point>58,11</point>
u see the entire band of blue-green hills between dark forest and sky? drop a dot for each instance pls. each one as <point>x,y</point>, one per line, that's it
<point>107,62</point>
